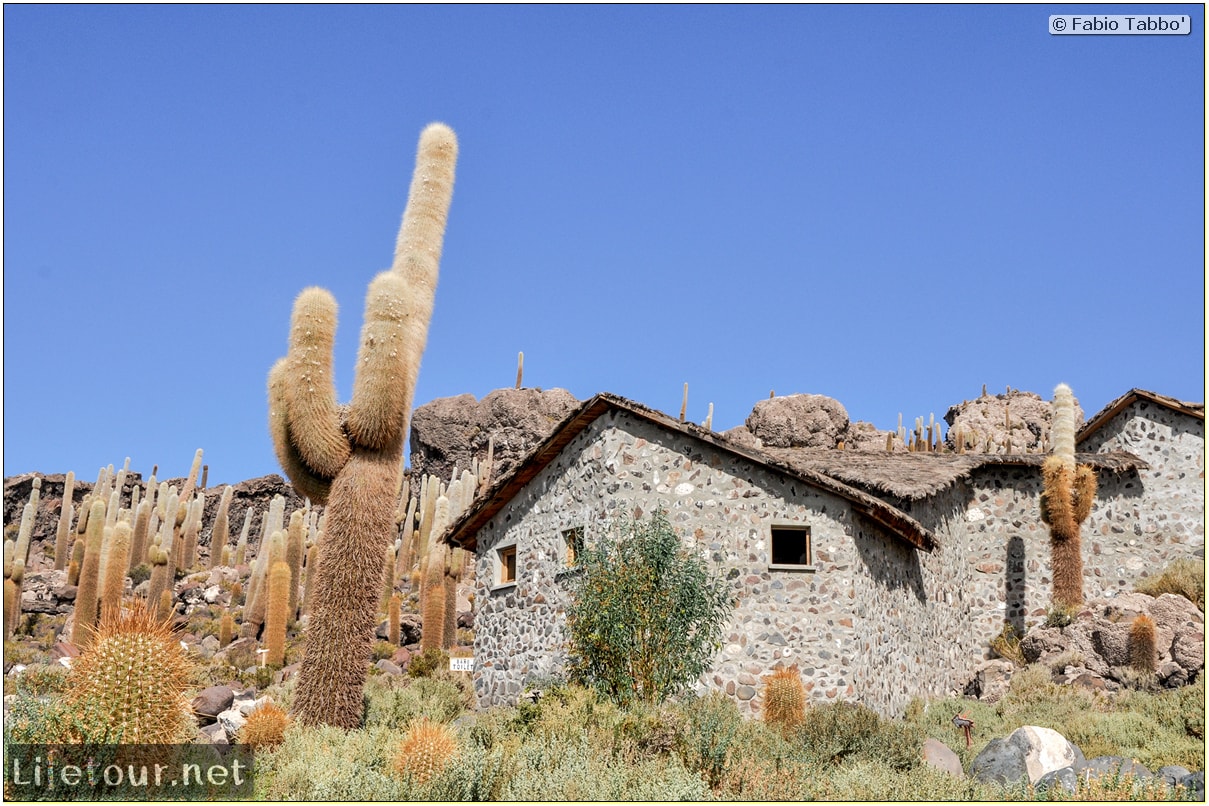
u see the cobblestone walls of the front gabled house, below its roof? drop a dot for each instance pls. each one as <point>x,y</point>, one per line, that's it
<point>876,621</point>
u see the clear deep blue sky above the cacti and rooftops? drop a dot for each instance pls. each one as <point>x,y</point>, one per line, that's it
<point>887,205</point>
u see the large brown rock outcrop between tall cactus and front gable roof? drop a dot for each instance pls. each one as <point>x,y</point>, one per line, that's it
<point>452,431</point>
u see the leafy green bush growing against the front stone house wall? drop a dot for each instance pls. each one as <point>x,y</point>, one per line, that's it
<point>647,616</point>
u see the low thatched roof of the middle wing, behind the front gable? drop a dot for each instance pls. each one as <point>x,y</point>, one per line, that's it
<point>915,477</point>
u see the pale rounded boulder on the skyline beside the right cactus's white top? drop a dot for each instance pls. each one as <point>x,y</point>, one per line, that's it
<point>1025,416</point>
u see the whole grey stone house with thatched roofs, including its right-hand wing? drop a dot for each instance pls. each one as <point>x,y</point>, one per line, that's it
<point>881,575</point>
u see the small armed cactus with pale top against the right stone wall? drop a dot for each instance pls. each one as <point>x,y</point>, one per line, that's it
<point>1067,500</point>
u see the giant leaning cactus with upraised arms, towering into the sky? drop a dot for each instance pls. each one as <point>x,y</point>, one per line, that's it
<point>350,457</point>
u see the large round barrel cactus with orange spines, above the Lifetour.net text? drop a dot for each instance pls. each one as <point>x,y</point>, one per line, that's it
<point>130,685</point>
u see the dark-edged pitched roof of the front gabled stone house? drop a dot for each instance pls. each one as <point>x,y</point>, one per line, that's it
<point>464,532</point>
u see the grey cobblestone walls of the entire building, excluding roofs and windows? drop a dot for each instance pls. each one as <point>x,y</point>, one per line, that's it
<point>876,621</point>
